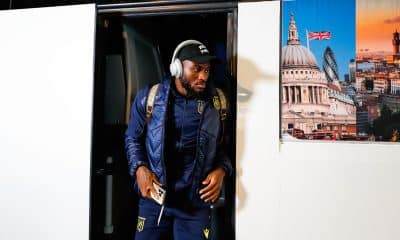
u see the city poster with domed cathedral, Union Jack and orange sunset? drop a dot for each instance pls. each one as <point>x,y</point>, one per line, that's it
<point>340,70</point>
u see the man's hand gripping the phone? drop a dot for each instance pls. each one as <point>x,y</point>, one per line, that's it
<point>145,179</point>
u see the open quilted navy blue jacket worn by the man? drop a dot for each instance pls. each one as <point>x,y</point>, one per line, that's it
<point>145,142</point>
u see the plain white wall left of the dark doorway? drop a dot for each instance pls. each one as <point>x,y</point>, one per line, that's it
<point>46,84</point>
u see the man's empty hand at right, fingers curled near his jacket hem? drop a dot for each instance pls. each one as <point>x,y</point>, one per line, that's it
<point>213,186</point>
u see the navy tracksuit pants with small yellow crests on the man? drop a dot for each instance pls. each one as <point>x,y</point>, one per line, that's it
<point>175,223</point>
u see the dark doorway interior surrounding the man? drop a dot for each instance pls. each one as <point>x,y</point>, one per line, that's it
<point>132,51</point>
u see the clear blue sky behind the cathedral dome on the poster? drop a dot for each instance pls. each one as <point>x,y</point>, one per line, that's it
<point>338,17</point>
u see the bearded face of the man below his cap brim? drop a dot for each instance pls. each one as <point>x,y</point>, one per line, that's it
<point>195,76</point>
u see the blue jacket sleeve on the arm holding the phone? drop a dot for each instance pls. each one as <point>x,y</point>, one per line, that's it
<point>135,134</point>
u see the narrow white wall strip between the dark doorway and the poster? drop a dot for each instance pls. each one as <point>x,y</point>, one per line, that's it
<point>258,121</point>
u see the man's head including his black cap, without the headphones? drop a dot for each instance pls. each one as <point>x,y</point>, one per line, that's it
<point>196,62</point>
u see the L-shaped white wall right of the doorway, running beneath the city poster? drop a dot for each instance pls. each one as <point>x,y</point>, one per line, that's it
<point>302,190</point>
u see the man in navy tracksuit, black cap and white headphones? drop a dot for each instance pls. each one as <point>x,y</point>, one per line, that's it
<point>177,148</point>
